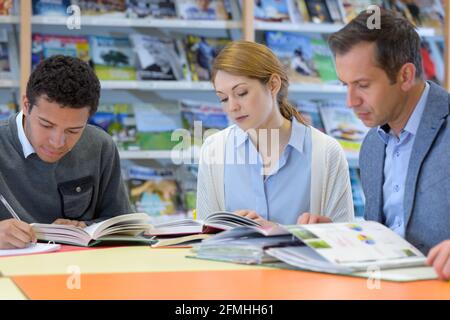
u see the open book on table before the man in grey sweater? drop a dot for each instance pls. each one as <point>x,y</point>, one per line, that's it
<point>123,228</point>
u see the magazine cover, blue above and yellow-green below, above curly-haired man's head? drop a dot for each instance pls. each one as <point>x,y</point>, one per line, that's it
<point>113,58</point>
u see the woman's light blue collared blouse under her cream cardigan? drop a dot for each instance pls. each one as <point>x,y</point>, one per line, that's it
<point>282,196</point>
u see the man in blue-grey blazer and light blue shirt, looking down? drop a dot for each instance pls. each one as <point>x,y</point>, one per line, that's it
<point>405,158</point>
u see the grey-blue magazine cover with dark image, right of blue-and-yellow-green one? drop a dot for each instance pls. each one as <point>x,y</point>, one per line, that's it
<point>159,58</point>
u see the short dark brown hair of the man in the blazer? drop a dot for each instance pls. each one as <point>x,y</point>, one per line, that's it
<point>396,42</point>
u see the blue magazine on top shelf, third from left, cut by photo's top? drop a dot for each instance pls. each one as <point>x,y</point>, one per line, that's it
<point>154,8</point>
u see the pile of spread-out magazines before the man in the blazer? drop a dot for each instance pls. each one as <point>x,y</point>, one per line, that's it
<point>355,249</point>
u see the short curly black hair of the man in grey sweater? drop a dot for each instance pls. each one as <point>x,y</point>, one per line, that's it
<point>65,80</point>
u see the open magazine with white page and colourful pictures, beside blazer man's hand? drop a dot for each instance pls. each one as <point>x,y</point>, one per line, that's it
<point>360,248</point>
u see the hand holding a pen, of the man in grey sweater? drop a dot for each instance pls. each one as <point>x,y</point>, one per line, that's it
<point>15,234</point>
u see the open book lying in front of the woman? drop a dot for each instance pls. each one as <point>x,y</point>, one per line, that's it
<point>214,223</point>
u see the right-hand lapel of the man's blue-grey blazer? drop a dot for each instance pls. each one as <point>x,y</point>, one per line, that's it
<point>436,109</point>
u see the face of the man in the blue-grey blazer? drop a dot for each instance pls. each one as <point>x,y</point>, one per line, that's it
<point>370,93</point>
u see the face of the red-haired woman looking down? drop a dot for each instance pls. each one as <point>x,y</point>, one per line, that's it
<point>248,102</point>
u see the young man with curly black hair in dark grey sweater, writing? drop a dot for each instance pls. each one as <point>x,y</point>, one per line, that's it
<point>54,168</point>
